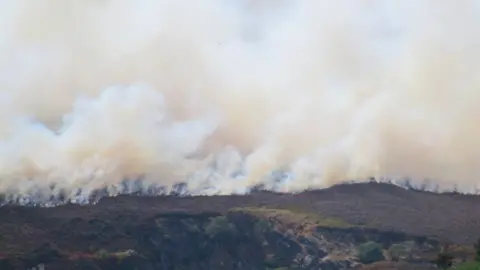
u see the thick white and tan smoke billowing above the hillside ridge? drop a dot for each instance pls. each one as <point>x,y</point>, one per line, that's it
<point>225,95</point>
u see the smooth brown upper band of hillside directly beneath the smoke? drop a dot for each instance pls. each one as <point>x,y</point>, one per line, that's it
<point>450,217</point>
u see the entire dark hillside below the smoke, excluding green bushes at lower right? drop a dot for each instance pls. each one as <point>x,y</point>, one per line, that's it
<point>311,230</point>
